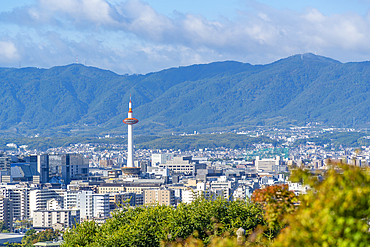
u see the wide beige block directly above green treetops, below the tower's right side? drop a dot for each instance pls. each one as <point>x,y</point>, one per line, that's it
<point>160,196</point>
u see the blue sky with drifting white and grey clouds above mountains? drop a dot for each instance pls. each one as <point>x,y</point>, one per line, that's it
<point>138,37</point>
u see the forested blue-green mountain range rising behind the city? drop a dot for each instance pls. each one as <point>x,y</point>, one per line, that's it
<point>76,99</point>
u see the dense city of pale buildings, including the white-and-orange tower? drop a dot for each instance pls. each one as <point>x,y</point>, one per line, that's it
<point>61,187</point>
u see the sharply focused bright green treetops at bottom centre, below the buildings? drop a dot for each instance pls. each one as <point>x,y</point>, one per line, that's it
<point>156,225</point>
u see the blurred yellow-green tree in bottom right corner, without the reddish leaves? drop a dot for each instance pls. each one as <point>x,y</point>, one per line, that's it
<point>334,213</point>
